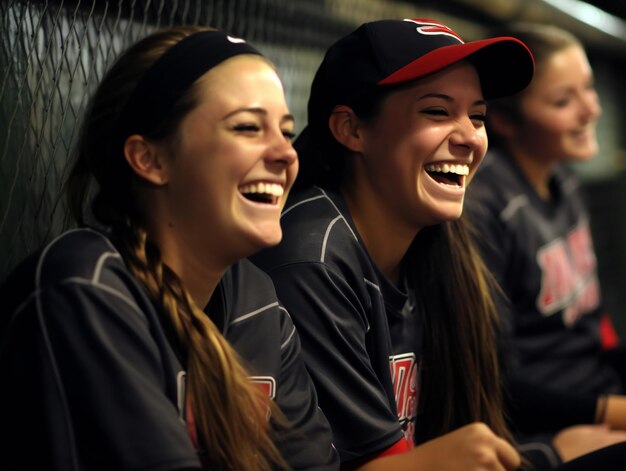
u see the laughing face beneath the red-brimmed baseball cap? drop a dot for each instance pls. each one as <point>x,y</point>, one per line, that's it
<point>422,149</point>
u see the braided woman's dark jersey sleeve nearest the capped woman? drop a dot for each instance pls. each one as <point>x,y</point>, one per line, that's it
<point>307,443</point>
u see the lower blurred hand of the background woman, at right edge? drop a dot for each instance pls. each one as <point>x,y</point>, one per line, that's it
<point>579,440</point>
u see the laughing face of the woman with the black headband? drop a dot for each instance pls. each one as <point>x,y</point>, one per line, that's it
<point>233,161</point>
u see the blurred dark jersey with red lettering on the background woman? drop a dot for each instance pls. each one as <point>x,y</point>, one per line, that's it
<point>542,255</point>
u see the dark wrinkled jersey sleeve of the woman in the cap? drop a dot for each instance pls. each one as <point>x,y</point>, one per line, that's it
<point>333,326</point>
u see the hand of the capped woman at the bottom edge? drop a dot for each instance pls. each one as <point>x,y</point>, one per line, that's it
<point>473,447</point>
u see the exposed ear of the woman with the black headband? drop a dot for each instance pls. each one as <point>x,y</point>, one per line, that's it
<point>146,159</point>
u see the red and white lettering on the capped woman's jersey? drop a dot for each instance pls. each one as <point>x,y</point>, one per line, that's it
<point>404,374</point>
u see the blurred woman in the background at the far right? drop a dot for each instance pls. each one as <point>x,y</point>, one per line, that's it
<point>533,230</point>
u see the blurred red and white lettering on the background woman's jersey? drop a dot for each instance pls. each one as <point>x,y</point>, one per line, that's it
<point>569,279</point>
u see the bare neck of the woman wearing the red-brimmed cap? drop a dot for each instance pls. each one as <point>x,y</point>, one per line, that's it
<point>386,241</point>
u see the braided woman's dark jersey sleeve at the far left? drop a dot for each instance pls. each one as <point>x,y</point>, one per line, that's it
<point>87,375</point>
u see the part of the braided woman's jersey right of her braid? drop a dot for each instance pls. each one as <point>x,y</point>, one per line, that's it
<point>263,334</point>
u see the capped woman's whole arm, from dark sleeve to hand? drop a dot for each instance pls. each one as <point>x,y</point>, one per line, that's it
<point>473,447</point>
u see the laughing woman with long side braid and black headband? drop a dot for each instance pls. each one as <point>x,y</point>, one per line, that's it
<point>137,345</point>
